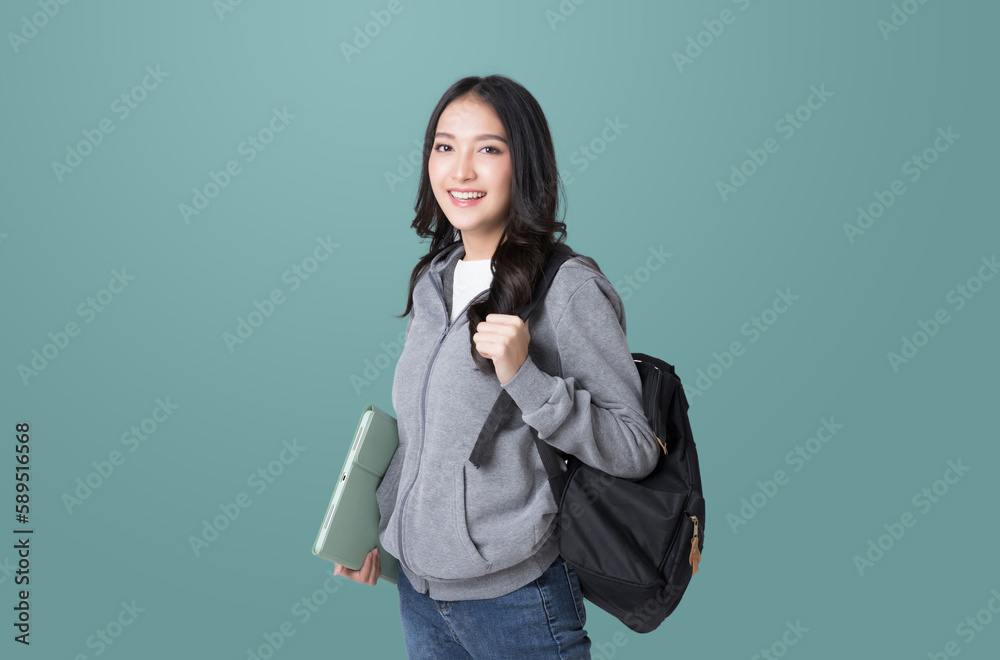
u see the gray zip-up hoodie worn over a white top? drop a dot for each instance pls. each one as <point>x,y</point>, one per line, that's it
<point>463,533</point>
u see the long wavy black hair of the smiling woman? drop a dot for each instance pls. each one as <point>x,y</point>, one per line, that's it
<point>531,228</point>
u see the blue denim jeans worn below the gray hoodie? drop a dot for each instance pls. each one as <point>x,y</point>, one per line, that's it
<point>542,619</point>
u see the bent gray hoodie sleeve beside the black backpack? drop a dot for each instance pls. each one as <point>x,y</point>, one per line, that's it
<point>595,413</point>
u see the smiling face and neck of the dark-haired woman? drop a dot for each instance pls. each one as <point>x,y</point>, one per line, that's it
<point>470,157</point>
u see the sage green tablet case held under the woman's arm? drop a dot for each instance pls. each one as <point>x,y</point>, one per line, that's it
<point>353,527</point>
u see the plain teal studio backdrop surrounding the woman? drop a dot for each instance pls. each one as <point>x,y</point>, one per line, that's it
<point>655,185</point>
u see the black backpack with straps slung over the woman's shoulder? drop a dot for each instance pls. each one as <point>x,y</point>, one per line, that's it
<point>633,543</point>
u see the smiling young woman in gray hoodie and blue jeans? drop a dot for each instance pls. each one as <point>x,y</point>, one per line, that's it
<point>480,572</point>
